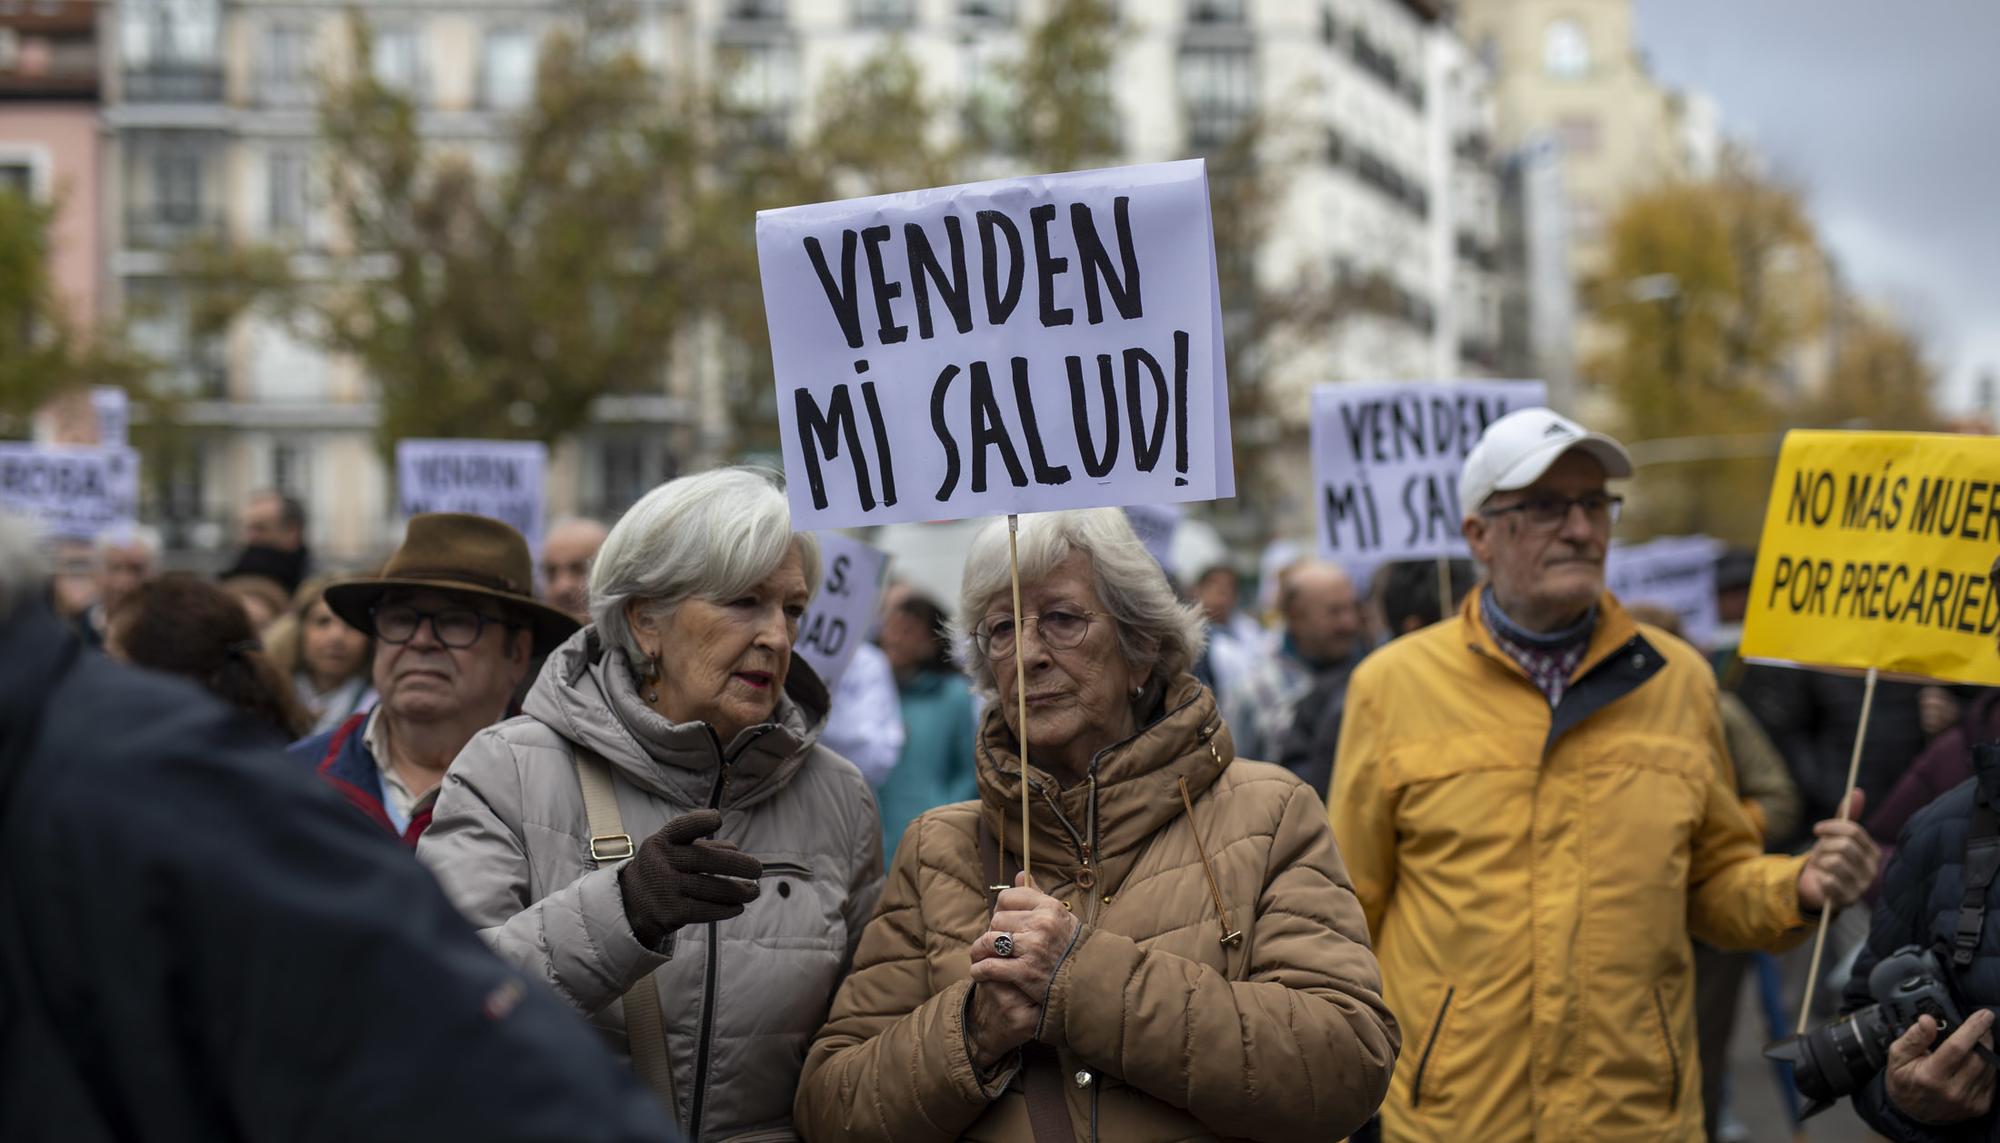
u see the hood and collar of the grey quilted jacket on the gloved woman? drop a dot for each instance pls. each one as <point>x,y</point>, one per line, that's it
<point>587,694</point>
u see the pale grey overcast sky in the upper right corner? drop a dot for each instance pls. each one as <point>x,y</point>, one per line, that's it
<point>1887,115</point>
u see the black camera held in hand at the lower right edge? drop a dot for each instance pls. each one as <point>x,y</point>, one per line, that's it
<point>1839,1058</point>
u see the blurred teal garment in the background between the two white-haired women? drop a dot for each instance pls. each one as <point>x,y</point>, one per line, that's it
<point>935,766</point>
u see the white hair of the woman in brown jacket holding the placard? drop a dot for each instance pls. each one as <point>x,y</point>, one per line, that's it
<point>1155,628</point>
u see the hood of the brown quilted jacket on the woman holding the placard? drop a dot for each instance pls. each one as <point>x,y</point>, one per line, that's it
<point>1133,788</point>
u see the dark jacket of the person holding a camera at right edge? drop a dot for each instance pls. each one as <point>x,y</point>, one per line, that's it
<point>1919,906</point>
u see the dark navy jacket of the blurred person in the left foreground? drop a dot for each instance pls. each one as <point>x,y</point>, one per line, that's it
<point>199,942</point>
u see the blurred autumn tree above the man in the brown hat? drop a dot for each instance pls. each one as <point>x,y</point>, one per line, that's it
<point>493,301</point>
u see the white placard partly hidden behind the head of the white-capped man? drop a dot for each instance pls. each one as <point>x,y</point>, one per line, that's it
<point>1387,457</point>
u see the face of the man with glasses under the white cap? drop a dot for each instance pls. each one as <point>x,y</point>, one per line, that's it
<point>1545,545</point>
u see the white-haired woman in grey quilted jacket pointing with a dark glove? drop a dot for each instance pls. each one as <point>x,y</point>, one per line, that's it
<point>661,836</point>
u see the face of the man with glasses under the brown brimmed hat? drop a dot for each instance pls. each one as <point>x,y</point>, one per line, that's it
<point>443,656</point>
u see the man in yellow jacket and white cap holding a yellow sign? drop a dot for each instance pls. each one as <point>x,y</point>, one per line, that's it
<point>1537,808</point>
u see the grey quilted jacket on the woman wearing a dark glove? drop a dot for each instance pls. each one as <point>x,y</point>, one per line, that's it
<point>741,998</point>
